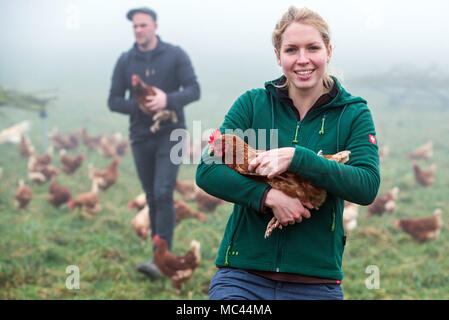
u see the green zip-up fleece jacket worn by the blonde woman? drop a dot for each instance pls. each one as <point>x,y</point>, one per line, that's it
<point>315,246</point>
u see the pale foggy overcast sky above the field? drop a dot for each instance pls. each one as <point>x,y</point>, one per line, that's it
<point>50,41</point>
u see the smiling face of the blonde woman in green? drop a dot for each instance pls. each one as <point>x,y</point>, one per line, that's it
<point>303,56</point>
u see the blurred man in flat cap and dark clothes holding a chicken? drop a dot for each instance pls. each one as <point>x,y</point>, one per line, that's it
<point>169,69</point>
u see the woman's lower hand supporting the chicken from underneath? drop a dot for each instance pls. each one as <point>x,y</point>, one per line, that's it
<point>286,209</point>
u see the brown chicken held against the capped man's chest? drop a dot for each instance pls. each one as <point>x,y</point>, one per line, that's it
<point>141,91</point>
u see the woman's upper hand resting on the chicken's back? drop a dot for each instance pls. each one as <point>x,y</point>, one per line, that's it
<point>272,162</point>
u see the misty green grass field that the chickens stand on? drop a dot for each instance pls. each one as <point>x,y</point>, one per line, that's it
<point>37,246</point>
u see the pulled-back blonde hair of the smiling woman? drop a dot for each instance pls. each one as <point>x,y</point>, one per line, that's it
<point>305,16</point>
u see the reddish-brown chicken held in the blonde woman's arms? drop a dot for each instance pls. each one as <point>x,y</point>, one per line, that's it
<point>237,154</point>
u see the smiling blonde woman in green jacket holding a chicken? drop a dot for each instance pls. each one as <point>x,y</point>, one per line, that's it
<point>311,111</point>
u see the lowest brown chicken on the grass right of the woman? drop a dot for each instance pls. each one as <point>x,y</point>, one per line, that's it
<point>422,229</point>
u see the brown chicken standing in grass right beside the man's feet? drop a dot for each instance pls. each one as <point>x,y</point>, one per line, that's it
<point>178,268</point>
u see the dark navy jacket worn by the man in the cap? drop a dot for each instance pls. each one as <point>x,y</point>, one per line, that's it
<point>166,67</point>
